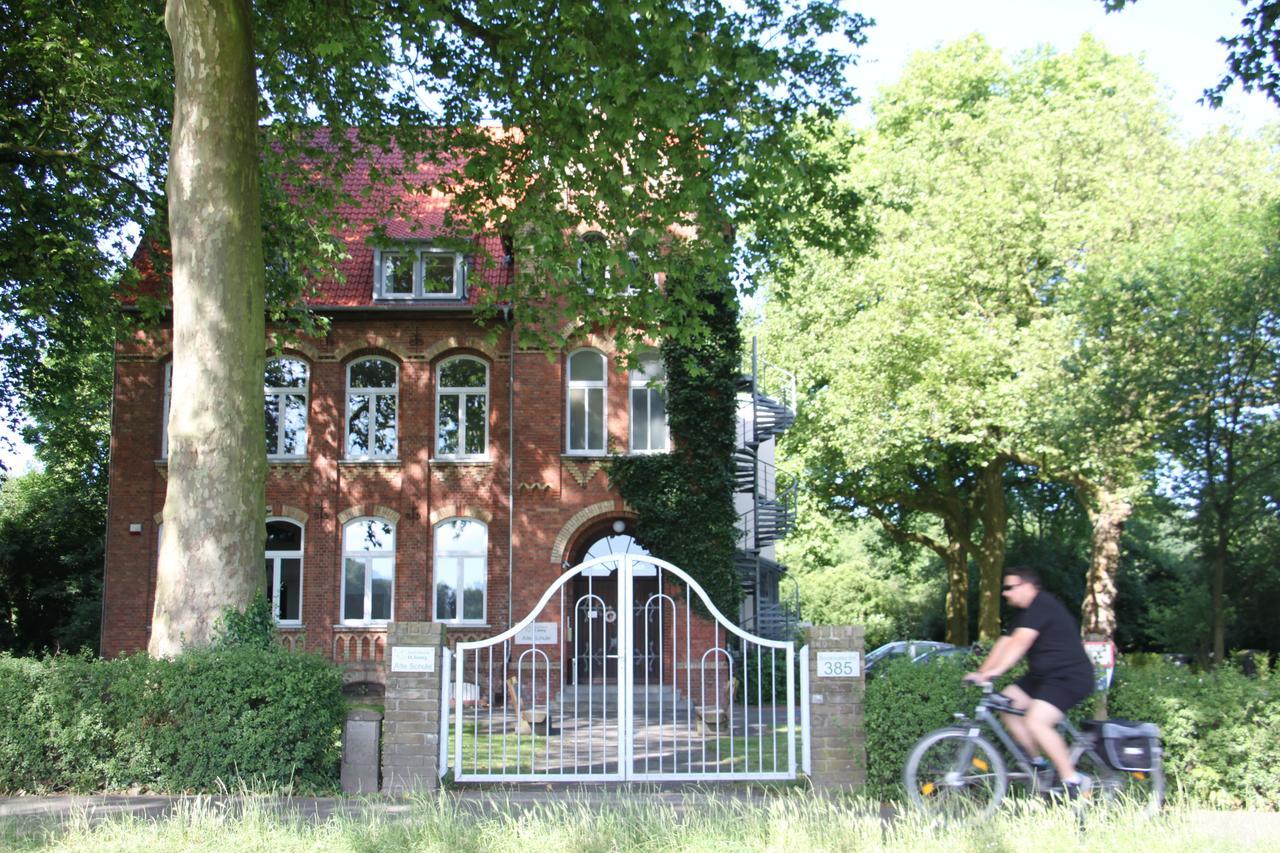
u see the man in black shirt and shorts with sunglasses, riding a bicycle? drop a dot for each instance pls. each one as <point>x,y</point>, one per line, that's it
<point>1059,673</point>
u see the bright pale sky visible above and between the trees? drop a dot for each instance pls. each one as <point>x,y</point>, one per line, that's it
<point>1177,39</point>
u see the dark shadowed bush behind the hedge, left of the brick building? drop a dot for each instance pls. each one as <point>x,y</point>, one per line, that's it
<point>52,528</point>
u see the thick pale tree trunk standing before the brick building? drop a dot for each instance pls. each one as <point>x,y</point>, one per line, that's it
<point>212,549</point>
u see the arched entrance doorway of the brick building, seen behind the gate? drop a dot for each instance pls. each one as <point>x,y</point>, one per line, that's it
<point>593,619</point>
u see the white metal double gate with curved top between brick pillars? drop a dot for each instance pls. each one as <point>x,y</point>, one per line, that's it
<point>625,670</point>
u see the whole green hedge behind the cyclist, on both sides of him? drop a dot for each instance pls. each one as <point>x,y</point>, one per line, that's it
<point>1220,729</point>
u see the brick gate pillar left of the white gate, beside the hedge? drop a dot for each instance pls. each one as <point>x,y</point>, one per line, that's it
<point>412,724</point>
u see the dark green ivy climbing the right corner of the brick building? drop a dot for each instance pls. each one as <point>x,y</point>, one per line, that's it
<point>685,499</point>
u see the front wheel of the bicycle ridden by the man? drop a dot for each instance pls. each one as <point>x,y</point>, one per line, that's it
<point>956,776</point>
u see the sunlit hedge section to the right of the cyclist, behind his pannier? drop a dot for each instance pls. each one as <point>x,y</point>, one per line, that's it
<point>1220,729</point>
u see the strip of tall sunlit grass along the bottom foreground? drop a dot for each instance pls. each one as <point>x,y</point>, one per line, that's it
<point>787,822</point>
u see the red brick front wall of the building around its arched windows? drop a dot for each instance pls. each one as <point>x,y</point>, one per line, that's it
<point>551,490</point>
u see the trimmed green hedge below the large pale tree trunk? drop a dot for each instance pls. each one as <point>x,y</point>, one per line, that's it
<point>203,720</point>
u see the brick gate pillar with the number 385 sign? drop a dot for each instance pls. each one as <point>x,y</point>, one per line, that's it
<point>836,691</point>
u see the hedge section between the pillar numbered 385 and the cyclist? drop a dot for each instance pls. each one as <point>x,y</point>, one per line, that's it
<point>904,703</point>
